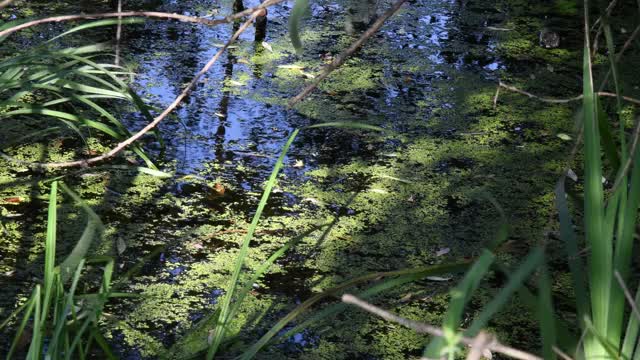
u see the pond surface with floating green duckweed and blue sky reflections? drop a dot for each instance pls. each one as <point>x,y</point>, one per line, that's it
<point>408,198</point>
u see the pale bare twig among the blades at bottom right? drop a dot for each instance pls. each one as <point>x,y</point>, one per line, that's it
<point>492,344</point>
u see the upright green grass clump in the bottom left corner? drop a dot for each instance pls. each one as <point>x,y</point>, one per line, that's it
<point>56,316</point>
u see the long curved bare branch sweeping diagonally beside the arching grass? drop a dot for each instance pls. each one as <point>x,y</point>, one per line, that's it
<point>121,146</point>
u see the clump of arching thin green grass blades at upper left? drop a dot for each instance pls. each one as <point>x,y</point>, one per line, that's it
<point>67,85</point>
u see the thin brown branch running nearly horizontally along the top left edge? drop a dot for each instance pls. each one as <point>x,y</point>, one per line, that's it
<point>150,14</point>
